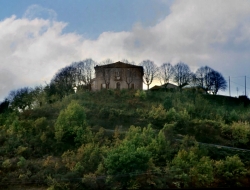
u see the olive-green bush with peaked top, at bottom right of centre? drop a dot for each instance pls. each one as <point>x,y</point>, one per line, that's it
<point>190,168</point>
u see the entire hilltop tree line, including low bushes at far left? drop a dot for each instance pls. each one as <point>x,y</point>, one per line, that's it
<point>80,75</point>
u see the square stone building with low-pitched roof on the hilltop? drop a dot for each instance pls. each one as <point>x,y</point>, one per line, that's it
<point>118,75</point>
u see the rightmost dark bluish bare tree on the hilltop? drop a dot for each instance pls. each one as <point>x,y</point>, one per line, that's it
<point>217,82</point>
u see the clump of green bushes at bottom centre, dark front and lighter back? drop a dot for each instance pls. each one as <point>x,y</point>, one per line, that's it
<point>136,154</point>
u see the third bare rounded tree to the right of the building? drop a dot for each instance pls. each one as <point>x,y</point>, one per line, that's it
<point>182,74</point>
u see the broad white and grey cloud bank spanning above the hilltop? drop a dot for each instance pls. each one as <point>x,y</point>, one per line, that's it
<point>215,32</point>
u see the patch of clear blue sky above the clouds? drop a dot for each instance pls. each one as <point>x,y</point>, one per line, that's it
<point>91,17</point>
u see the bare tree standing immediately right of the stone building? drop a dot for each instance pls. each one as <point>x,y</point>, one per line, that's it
<point>149,70</point>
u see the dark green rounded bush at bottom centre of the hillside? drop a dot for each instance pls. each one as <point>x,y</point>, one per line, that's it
<point>125,161</point>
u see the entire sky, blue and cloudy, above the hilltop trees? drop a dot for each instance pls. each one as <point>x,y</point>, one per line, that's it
<point>38,37</point>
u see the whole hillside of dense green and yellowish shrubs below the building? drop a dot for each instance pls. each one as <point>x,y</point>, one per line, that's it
<point>126,139</point>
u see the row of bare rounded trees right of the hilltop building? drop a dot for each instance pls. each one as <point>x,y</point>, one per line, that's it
<point>205,77</point>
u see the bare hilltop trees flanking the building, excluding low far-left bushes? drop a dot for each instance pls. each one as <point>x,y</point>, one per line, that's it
<point>81,74</point>
